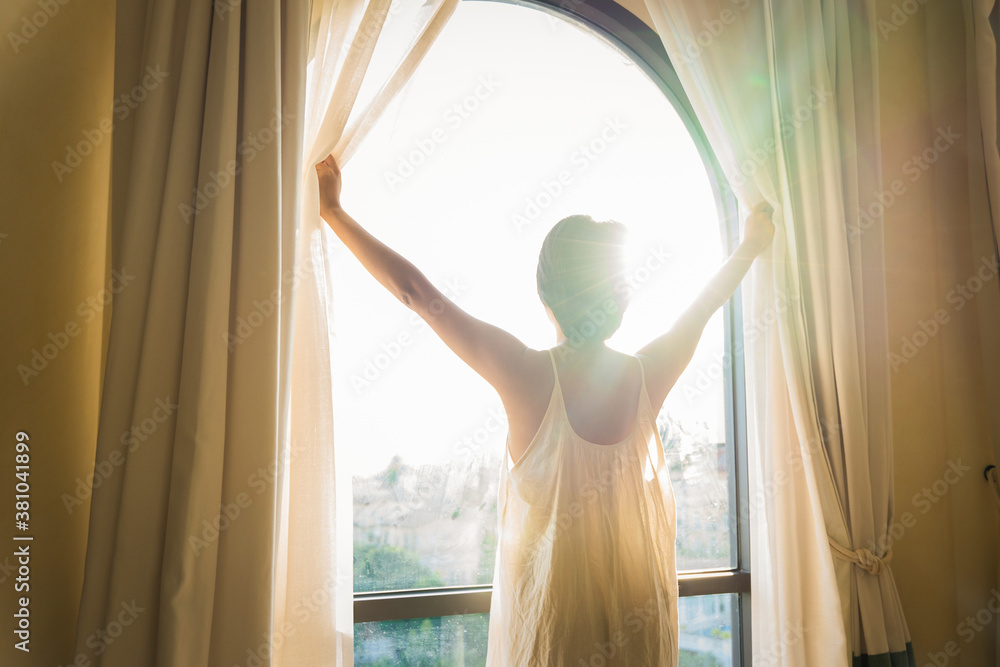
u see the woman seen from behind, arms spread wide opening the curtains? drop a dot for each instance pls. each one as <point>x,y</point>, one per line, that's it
<point>585,570</point>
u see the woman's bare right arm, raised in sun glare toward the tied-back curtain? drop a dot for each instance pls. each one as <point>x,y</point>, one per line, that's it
<point>666,357</point>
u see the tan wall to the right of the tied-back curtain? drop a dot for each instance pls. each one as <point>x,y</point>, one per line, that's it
<point>937,237</point>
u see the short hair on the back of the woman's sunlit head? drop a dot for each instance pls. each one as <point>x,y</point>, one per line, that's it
<point>580,271</point>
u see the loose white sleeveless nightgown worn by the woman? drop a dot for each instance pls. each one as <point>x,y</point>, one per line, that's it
<point>585,572</point>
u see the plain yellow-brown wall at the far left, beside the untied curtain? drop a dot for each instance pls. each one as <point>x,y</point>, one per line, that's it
<point>53,236</point>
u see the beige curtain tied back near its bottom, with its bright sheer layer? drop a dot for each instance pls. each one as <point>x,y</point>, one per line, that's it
<point>787,96</point>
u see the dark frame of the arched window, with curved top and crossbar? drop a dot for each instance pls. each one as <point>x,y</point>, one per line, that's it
<point>628,33</point>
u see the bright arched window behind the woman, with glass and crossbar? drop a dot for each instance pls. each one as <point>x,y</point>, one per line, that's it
<point>520,115</point>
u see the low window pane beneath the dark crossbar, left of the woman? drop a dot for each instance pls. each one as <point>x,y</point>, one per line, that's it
<point>420,642</point>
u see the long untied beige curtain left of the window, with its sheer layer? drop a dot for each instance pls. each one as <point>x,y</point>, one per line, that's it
<point>221,533</point>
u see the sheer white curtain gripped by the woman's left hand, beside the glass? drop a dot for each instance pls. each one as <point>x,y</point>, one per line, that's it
<point>361,54</point>
